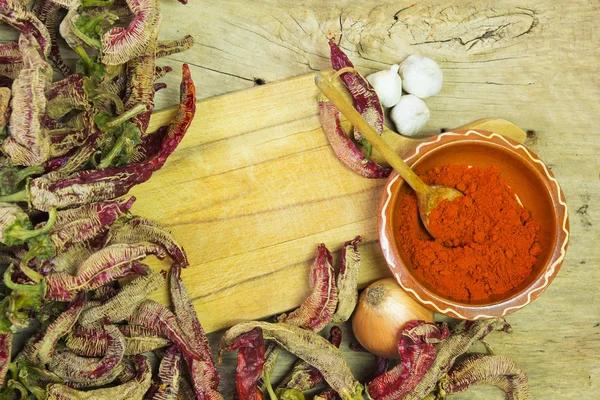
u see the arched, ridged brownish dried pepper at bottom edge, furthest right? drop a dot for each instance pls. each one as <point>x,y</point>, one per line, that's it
<point>492,370</point>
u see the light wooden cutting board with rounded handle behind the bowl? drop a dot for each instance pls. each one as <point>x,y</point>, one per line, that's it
<point>251,192</point>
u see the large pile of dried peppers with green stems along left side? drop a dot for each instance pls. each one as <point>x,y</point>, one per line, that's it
<point>71,149</point>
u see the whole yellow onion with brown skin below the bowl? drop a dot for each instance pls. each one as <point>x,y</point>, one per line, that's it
<point>382,311</point>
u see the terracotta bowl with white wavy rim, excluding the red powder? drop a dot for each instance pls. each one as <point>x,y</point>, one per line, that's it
<point>533,183</point>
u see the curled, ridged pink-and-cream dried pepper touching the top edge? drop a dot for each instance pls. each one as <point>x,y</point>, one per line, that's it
<point>120,45</point>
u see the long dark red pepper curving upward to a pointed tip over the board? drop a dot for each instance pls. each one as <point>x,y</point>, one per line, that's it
<point>57,190</point>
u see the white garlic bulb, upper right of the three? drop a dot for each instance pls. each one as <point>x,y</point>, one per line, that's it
<point>421,76</point>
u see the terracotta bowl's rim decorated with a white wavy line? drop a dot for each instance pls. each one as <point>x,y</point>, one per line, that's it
<point>462,310</point>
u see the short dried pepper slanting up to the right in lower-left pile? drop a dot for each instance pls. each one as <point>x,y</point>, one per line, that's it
<point>42,350</point>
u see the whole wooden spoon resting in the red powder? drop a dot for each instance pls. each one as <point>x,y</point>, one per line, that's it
<point>428,196</point>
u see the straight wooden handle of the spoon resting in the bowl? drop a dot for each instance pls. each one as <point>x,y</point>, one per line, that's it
<point>395,161</point>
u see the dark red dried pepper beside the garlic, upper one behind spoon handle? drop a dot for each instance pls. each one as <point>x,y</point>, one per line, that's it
<point>365,98</point>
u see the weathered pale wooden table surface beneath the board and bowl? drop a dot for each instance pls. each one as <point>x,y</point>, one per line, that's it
<point>534,63</point>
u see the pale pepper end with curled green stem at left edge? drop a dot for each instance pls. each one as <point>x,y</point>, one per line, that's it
<point>15,227</point>
